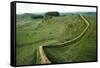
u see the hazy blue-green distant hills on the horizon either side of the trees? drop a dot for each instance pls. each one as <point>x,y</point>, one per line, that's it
<point>41,15</point>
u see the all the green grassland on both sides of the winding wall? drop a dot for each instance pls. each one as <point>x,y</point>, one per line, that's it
<point>32,33</point>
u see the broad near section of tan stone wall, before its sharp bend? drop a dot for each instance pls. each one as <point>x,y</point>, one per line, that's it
<point>43,58</point>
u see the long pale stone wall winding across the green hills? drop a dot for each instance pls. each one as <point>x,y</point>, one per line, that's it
<point>78,37</point>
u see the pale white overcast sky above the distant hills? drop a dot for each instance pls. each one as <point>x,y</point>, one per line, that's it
<point>41,8</point>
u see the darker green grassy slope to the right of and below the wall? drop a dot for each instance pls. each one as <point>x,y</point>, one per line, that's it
<point>83,50</point>
